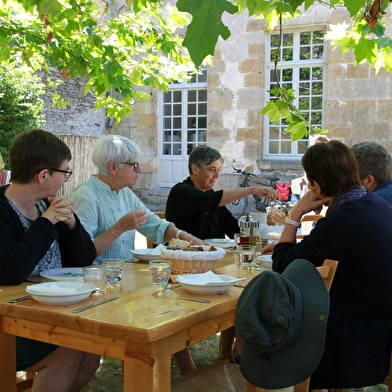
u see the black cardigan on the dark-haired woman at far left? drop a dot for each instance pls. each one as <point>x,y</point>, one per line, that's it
<point>20,252</point>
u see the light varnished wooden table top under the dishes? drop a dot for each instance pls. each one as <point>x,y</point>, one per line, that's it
<point>137,315</point>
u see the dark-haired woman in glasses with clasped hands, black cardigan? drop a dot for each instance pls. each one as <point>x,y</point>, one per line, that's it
<point>39,232</point>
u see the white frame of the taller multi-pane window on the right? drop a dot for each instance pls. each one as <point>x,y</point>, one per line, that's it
<point>295,65</point>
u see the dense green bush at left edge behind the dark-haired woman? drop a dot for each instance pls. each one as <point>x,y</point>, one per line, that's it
<point>21,104</point>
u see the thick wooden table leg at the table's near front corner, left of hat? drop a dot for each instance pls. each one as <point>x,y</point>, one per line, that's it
<point>148,369</point>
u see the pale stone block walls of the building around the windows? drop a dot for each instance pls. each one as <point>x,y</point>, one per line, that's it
<point>356,103</point>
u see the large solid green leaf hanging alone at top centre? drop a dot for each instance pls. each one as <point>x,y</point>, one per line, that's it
<point>206,26</point>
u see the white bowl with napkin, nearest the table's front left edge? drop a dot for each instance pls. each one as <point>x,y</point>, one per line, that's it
<point>60,293</point>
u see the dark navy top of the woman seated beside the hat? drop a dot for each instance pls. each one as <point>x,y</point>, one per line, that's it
<point>359,334</point>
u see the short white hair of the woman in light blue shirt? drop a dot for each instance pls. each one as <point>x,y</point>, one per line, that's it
<point>114,148</point>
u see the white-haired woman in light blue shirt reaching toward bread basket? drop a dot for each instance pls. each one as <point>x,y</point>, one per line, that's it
<point>110,211</point>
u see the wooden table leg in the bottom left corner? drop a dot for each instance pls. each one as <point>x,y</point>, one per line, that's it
<point>7,363</point>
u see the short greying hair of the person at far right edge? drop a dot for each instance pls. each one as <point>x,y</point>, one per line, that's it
<point>373,159</point>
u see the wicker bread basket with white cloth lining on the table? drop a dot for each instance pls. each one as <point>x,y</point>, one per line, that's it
<point>189,262</point>
